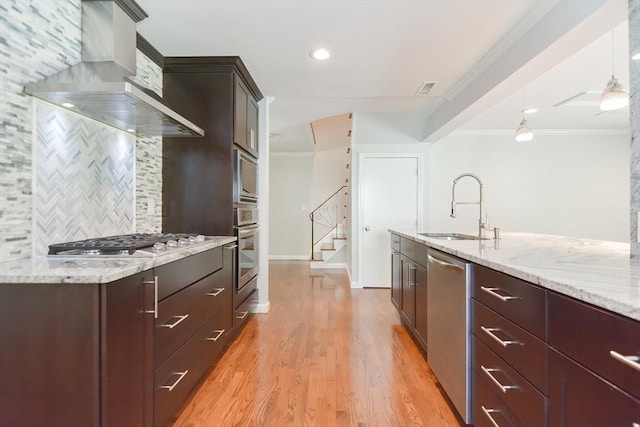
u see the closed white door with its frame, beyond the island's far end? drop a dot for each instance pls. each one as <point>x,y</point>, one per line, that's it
<point>389,191</point>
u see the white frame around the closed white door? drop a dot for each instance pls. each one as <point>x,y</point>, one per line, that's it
<point>360,226</point>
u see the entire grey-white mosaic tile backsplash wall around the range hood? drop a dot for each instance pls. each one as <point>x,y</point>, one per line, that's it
<point>39,38</point>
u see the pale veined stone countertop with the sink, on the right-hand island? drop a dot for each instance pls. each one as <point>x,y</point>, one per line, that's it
<point>594,271</point>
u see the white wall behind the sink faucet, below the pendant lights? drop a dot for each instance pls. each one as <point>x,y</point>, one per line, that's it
<point>573,185</point>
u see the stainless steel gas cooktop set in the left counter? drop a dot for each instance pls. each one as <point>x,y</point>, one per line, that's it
<point>139,244</point>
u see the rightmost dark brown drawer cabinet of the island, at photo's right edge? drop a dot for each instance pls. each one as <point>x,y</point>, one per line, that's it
<point>594,373</point>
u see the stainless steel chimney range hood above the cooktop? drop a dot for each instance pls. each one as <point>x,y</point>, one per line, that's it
<point>100,86</point>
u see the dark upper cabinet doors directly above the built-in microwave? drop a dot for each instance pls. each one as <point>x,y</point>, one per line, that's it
<point>245,121</point>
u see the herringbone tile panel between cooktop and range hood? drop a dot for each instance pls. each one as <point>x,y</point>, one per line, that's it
<point>84,183</point>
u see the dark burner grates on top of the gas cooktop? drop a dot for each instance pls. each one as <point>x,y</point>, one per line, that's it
<point>125,243</point>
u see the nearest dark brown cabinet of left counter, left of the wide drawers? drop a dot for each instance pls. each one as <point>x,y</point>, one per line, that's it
<point>77,354</point>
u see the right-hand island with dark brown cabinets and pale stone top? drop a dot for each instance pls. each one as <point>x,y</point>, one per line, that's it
<point>553,325</point>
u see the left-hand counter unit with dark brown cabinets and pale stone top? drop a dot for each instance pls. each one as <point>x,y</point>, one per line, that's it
<point>112,340</point>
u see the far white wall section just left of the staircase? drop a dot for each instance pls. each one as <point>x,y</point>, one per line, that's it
<point>290,180</point>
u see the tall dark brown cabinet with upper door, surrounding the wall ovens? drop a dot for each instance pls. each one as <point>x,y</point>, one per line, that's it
<point>197,186</point>
